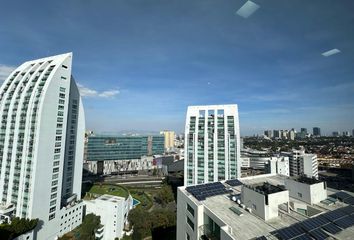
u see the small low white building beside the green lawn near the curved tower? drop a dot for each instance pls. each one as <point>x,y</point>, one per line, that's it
<point>113,211</point>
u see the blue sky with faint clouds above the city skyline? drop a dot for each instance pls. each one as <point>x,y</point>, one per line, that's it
<point>141,63</point>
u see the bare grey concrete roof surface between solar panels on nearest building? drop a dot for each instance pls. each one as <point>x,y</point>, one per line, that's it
<point>249,225</point>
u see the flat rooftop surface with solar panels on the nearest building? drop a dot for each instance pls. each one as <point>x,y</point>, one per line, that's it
<point>337,217</point>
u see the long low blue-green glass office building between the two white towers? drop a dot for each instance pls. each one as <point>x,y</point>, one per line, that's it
<point>113,154</point>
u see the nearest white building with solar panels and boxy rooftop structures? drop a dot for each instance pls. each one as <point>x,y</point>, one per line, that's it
<point>264,207</point>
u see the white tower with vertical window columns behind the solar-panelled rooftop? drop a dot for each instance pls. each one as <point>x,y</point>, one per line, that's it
<point>212,144</point>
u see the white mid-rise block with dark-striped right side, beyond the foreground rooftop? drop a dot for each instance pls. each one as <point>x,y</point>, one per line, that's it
<point>302,163</point>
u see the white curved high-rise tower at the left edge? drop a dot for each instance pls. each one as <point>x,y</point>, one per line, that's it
<point>41,145</point>
